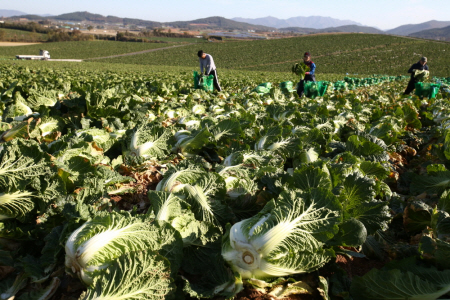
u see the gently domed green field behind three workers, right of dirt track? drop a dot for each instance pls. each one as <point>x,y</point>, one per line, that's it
<point>345,53</point>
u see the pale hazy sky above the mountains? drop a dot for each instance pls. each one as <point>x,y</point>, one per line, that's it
<point>384,14</point>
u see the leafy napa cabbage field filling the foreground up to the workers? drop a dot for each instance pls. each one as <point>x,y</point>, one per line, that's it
<point>133,185</point>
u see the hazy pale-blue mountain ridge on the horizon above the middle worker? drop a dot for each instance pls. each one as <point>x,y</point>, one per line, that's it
<point>316,22</point>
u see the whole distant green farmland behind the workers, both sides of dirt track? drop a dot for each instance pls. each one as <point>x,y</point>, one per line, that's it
<point>333,54</point>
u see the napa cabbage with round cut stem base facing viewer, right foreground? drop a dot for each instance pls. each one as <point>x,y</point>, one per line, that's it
<point>286,237</point>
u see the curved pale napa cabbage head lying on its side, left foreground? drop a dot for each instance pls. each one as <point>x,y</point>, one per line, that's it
<point>98,242</point>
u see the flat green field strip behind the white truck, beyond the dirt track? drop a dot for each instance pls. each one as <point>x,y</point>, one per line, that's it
<point>80,50</point>
